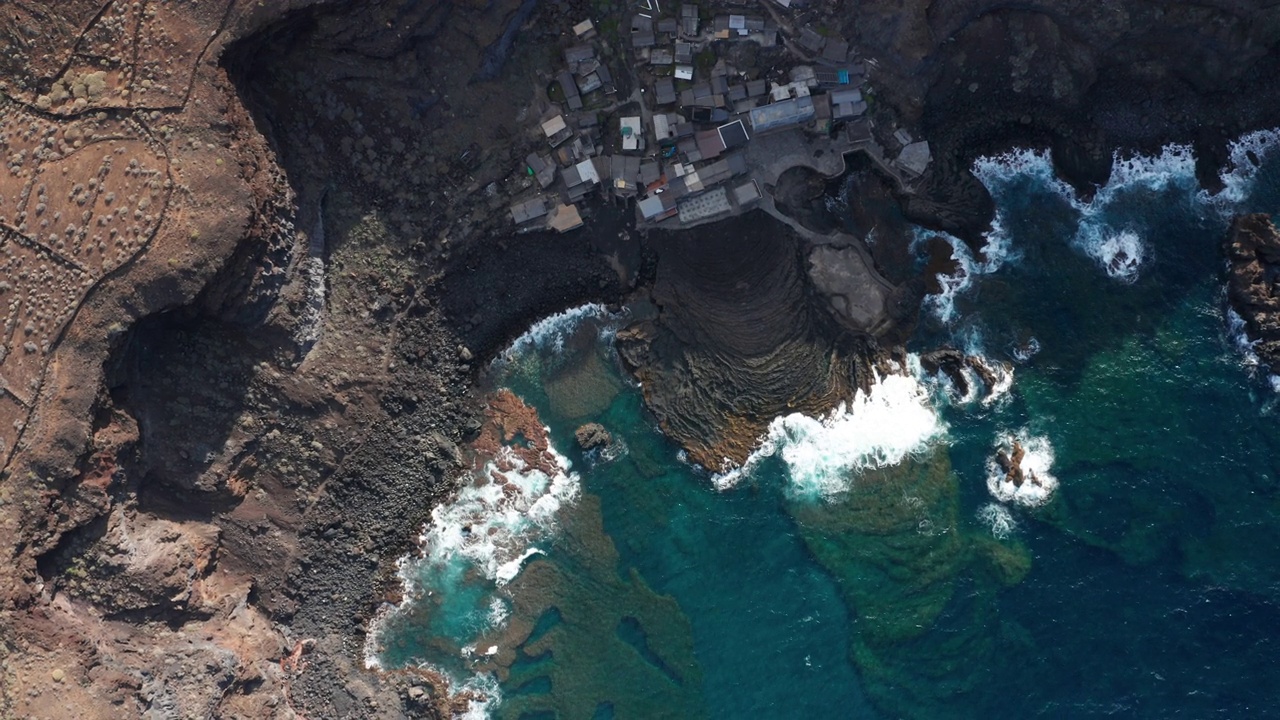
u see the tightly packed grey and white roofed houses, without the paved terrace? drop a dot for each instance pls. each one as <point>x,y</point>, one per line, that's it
<point>683,156</point>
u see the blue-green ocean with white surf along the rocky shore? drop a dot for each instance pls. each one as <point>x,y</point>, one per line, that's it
<point>875,564</point>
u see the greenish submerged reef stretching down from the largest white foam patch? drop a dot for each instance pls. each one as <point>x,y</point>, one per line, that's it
<point>918,584</point>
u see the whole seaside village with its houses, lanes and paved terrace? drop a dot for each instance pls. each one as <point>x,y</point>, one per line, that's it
<point>669,108</point>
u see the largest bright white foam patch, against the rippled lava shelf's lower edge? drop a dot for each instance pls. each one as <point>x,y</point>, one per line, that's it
<point>877,430</point>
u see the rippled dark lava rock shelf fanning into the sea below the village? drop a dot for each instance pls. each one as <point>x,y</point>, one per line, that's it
<point>738,341</point>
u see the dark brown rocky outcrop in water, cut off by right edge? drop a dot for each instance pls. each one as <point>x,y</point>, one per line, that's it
<point>1254,274</point>
